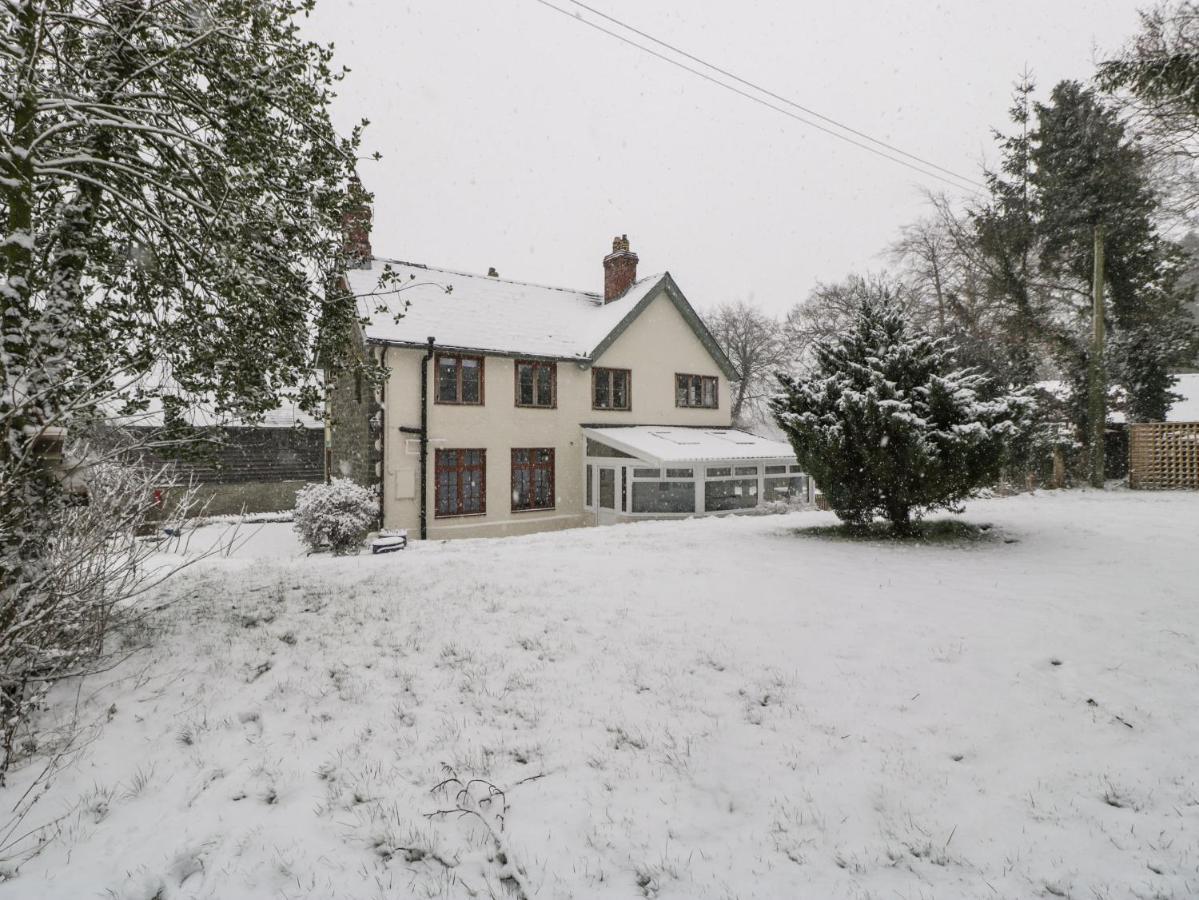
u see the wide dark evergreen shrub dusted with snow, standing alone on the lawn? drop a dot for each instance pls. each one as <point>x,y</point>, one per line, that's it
<point>888,425</point>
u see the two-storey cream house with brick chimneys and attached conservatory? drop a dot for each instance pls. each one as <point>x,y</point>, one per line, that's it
<point>513,408</point>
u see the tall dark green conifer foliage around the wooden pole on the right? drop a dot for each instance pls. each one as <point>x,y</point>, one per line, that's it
<point>1073,166</point>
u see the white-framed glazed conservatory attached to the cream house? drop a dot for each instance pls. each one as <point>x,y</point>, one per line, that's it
<point>664,472</point>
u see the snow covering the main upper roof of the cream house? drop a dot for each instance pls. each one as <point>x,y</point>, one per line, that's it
<point>489,315</point>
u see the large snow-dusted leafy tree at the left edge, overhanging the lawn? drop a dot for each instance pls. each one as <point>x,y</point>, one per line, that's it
<point>172,192</point>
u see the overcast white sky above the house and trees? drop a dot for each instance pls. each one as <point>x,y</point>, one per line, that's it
<point>519,138</point>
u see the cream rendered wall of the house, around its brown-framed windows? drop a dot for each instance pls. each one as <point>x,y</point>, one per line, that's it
<point>655,347</point>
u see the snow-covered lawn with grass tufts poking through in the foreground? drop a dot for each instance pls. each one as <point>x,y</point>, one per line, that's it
<point>710,709</point>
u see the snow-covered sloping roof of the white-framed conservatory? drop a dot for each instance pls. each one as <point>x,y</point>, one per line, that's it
<point>665,445</point>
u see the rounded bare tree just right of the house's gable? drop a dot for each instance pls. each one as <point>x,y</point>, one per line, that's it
<point>752,341</point>
